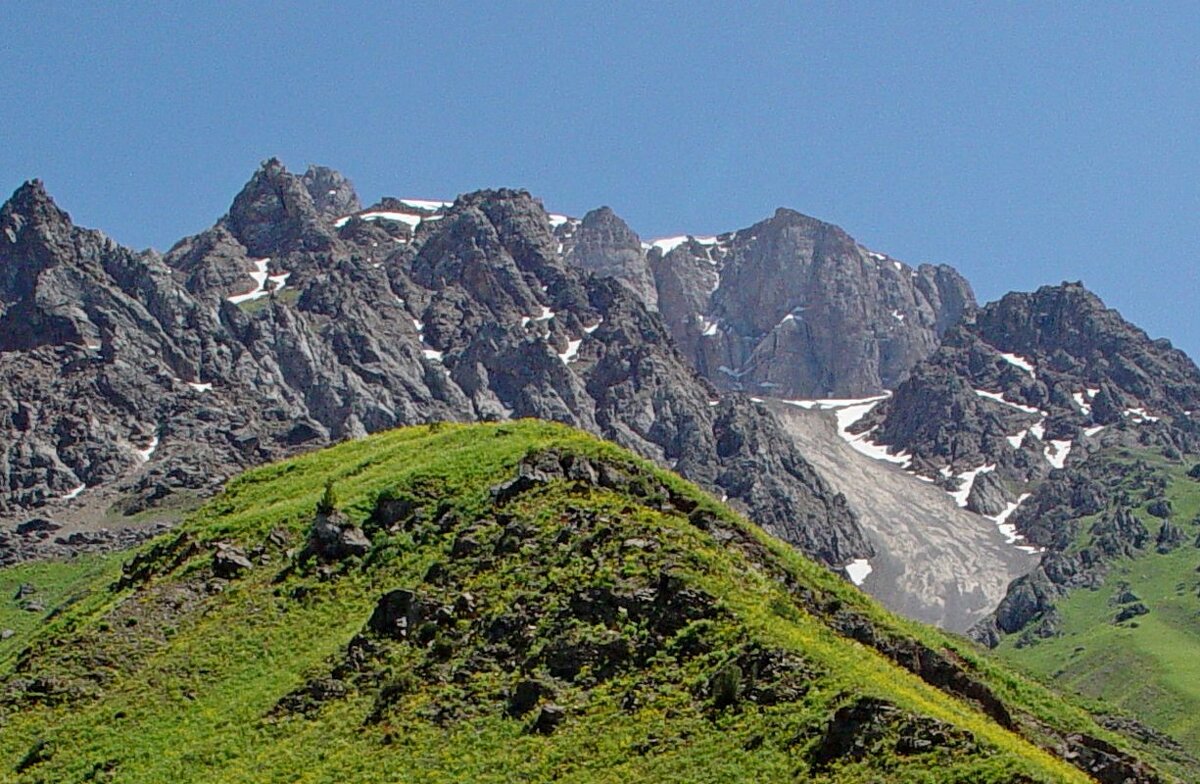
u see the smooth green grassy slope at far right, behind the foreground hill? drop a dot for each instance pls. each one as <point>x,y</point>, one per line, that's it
<point>1148,668</point>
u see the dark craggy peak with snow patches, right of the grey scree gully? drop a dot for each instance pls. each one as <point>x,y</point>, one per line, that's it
<point>1034,369</point>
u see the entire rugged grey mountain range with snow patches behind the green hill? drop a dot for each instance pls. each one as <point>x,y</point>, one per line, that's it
<point>955,460</point>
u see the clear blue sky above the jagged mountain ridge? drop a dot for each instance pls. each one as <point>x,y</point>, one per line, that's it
<point>1023,143</point>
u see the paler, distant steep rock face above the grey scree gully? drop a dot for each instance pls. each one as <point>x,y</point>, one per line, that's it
<point>791,307</point>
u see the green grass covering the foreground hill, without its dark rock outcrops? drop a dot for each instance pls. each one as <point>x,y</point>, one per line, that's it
<point>188,696</point>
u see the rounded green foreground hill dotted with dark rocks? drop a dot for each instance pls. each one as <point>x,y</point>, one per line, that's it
<point>499,603</point>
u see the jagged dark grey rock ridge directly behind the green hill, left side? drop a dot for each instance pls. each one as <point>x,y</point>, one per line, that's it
<point>145,379</point>
